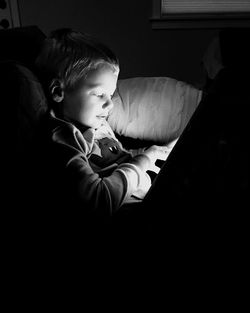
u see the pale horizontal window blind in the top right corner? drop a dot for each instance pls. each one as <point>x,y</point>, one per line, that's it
<point>204,6</point>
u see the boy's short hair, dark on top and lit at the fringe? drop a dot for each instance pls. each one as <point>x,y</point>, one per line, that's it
<point>69,56</point>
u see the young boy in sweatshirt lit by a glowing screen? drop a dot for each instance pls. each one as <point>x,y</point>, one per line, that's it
<point>86,162</point>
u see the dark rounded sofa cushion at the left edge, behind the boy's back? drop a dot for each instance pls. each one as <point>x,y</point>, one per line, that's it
<point>23,93</point>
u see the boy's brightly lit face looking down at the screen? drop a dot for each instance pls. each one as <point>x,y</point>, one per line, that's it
<point>91,102</point>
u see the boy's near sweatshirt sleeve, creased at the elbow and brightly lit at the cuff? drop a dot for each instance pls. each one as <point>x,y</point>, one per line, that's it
<point>105,195</point>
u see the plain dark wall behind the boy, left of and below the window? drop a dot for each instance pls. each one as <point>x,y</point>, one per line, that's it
<point>125,26</point>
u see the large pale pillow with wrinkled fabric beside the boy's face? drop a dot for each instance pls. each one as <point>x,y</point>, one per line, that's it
<point>153,108</point>
